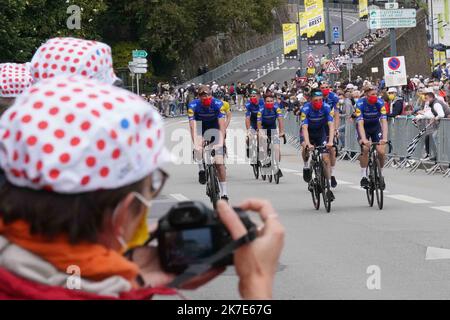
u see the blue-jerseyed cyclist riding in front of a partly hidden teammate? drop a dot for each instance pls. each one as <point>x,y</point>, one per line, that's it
<point>317,117</point>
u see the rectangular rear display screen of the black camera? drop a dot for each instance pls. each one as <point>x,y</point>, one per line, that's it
<point>188,246</point>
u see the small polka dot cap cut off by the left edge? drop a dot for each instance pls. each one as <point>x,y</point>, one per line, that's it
<point>15,78</point>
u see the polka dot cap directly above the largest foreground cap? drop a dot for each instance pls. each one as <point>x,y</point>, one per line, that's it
<point>71,56</point>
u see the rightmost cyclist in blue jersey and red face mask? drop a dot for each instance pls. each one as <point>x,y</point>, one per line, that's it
<point>372,125</point>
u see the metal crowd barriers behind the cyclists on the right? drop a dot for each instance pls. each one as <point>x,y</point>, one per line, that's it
<point>402,132</point>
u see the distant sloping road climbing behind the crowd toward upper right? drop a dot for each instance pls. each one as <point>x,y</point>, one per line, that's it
<point>354,30</point>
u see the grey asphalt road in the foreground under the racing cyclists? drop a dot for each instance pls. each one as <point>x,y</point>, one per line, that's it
<point>327,256</point>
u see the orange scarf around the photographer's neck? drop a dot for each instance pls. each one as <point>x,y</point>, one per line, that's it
<point>95,261</point>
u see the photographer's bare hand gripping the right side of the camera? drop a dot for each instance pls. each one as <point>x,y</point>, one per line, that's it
<point>257,261</point>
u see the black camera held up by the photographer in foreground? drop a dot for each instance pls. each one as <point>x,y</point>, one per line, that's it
<point>191,232</point>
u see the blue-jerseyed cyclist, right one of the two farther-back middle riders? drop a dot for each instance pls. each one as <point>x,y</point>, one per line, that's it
<point>267,120</point>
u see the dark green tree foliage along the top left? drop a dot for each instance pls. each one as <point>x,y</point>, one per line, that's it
<point>167,29</point>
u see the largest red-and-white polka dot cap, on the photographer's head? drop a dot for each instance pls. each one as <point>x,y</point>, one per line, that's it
<point>73,135</point>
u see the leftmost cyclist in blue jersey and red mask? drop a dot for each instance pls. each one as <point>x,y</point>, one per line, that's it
<point>210,113</point>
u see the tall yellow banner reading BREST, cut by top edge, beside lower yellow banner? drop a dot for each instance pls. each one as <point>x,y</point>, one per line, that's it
<point>316,21</point>
